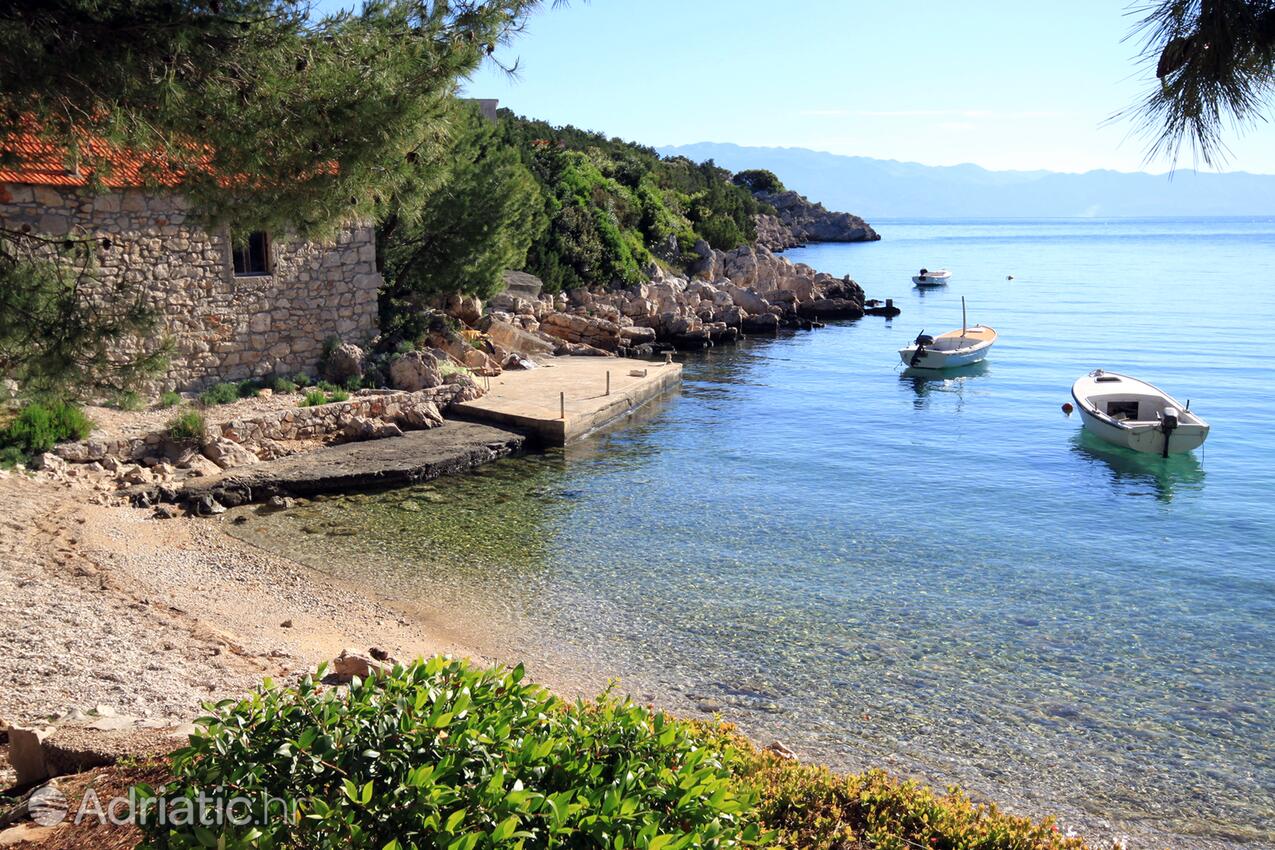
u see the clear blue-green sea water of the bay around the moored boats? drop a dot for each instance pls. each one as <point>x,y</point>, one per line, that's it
<point>938,575</point>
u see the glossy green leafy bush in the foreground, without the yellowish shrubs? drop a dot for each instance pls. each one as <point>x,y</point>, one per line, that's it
<point>449,756</point>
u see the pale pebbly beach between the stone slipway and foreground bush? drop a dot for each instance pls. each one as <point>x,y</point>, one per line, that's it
<point>108,606</point>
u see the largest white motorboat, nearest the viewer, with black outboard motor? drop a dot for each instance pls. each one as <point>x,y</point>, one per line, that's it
<point>1134,415</point>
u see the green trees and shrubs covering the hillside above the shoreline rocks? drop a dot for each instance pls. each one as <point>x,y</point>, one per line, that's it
<point>572,207</point>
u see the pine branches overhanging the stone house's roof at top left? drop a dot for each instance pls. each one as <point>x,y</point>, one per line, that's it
<point>271,119</point>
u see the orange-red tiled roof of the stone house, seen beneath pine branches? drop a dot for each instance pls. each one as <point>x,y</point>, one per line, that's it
<point>45,165</point>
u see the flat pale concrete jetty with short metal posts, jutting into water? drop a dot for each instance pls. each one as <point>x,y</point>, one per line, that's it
<point>567,398</point>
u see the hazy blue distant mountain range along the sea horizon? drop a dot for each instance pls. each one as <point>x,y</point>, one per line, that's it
<point>891,189</point>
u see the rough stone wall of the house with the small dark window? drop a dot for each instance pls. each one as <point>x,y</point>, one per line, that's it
<point>221,327</point>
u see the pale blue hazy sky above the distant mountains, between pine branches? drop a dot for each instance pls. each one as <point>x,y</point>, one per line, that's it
<point>996,83</point>
